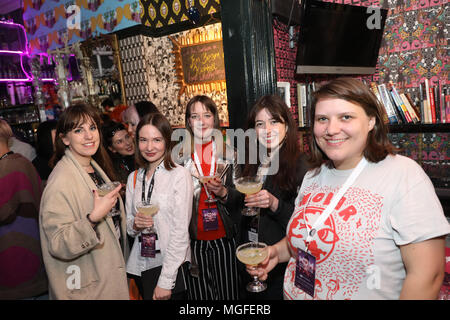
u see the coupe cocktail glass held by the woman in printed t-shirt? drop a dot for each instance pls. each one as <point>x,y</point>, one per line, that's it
<point>252,254</point>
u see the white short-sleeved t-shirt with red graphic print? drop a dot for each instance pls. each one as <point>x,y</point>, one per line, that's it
<point>391,203</point>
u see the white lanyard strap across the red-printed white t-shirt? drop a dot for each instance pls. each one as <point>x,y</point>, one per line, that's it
<point>327,212</point>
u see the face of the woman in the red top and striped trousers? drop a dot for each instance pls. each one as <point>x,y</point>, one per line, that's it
<point>201,120</point>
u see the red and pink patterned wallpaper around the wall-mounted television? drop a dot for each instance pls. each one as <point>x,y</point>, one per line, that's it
<point>415,46</point>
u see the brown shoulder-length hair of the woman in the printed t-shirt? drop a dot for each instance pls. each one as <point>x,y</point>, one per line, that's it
<point>378,145</point>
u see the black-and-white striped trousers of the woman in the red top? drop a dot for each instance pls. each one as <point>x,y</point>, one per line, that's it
<point>218,276</point>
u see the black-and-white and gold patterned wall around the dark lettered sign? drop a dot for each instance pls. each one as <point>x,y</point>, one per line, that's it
<point>149,74</point>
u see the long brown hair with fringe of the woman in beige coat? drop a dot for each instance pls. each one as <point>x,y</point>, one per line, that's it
<point>69,120</point>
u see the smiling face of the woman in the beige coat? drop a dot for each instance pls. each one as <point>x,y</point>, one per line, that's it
<point>83,140</point>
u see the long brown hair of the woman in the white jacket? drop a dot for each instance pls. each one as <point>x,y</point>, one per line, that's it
<point>162,124</point>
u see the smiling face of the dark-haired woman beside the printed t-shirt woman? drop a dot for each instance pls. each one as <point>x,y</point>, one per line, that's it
<point>270,131</point>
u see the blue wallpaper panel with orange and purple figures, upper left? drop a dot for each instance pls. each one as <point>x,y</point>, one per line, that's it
<point>48,21</point>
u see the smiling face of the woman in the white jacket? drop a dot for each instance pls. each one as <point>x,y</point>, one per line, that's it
<point>151,144</point>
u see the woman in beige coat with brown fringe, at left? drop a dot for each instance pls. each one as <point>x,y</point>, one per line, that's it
<point>84,249</point>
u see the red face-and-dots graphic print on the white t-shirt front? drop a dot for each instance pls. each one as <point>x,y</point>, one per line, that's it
<point>343,245</point>
